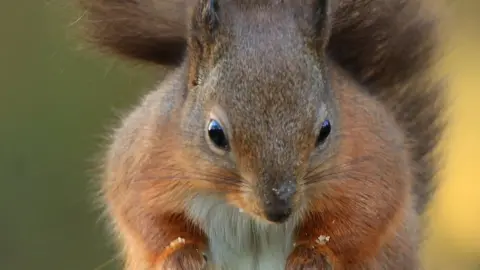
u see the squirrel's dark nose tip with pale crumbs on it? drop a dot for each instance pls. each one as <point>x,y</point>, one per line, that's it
<point>278,206</point>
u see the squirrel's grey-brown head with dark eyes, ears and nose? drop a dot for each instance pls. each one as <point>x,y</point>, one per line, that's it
<point>259,112</point>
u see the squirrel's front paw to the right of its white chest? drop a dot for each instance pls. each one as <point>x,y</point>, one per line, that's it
<point>307,258</point>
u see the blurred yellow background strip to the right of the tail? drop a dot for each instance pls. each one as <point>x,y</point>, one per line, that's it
<point>454,238</point>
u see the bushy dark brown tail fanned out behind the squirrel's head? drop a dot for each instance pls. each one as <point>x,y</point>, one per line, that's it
<point>386,45</point>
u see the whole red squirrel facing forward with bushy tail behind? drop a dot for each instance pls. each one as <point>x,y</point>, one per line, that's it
<point>291,134</point>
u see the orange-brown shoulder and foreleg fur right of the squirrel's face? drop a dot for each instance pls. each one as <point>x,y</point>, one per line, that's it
<point>374,194</point>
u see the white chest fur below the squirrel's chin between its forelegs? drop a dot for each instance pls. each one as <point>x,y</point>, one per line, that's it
<point>238,242</point>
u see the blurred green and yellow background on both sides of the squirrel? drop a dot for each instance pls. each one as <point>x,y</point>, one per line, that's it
<point>57,102</point>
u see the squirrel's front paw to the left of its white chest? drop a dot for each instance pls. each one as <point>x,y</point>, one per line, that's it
<point>186,257</point>
